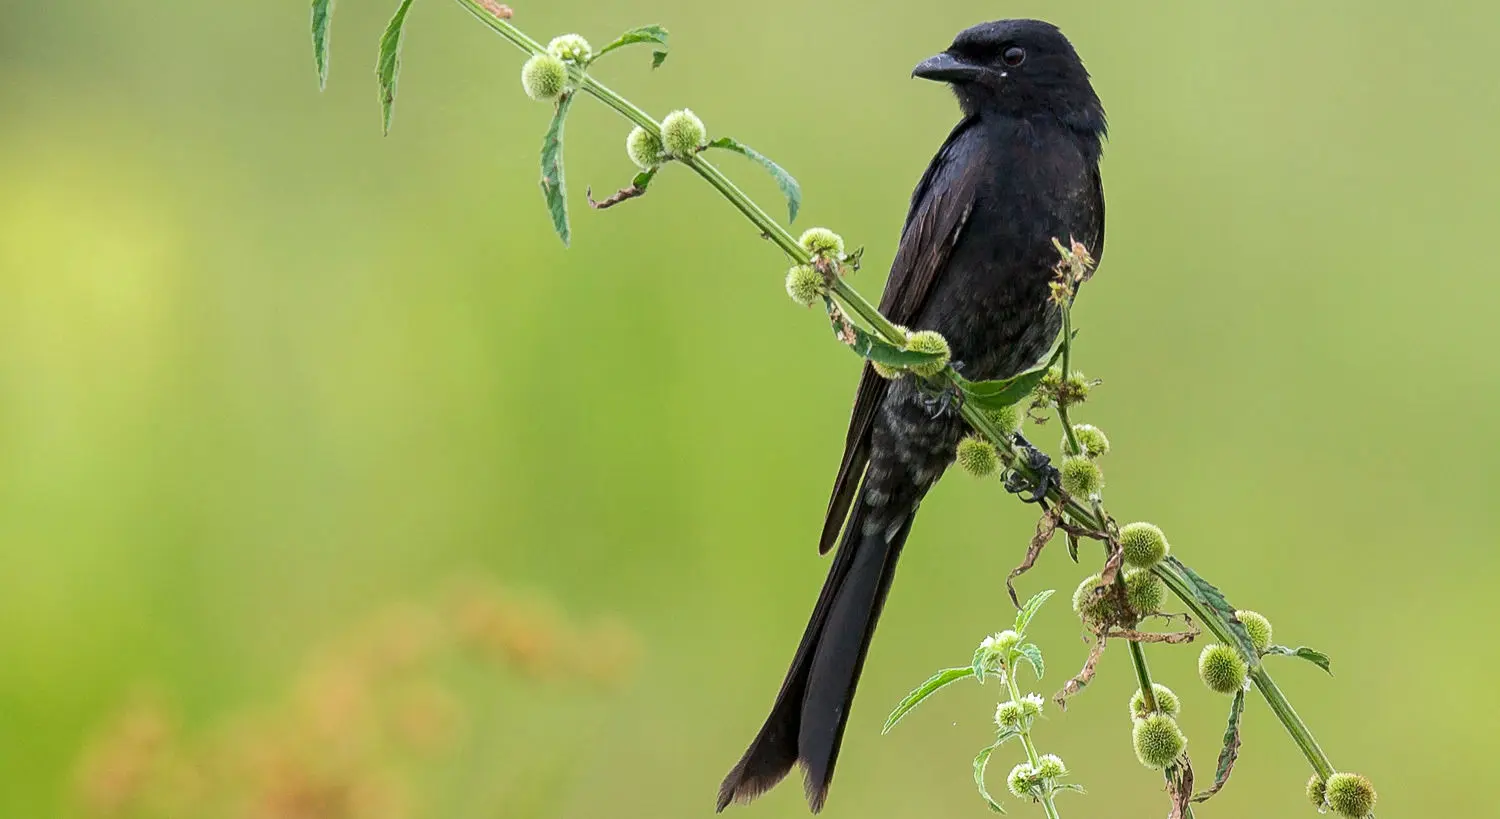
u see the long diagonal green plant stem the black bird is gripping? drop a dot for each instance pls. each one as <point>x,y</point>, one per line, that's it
<point>1079,512</point>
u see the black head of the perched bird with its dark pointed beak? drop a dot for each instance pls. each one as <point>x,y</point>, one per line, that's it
<point>1018,68</point>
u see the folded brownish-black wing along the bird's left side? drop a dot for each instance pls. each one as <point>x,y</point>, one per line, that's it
<point>940,209</point>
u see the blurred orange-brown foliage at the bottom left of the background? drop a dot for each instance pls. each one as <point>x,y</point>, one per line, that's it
<point>407,716</point>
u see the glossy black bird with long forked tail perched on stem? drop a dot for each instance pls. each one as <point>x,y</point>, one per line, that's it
<point>976,259</point>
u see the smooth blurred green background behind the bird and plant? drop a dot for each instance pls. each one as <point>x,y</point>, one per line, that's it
<point>265,373</point>
